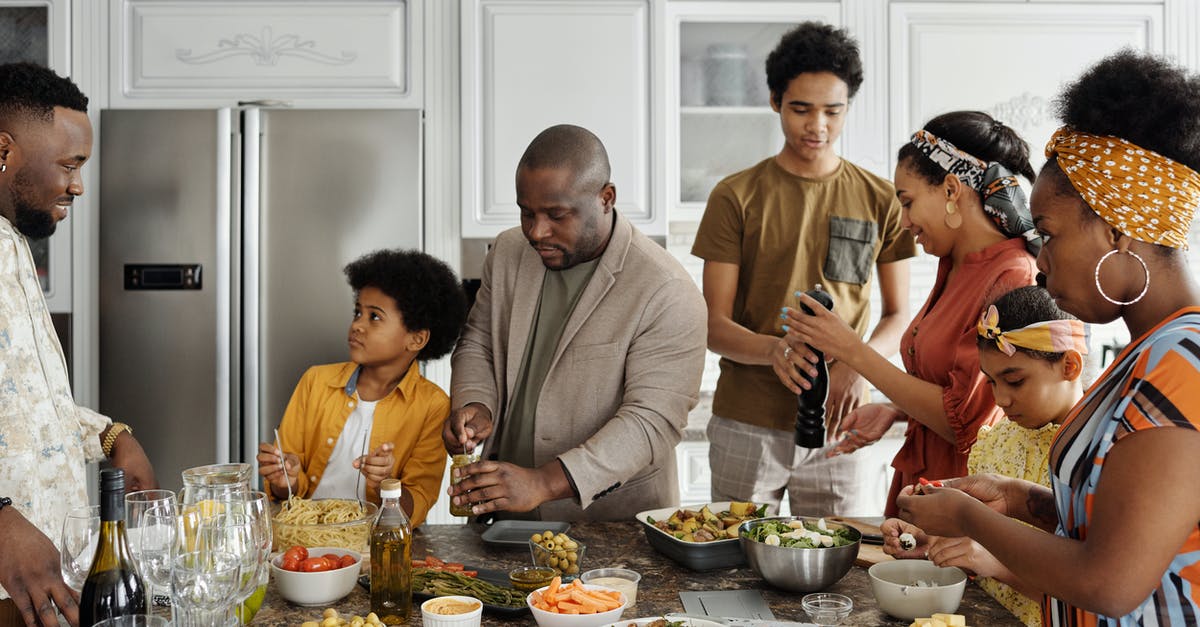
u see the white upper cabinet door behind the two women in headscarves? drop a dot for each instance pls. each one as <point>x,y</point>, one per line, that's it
<point>1010,61</point>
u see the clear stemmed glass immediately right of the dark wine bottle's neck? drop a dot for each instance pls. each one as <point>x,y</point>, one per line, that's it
<point>149,527</point>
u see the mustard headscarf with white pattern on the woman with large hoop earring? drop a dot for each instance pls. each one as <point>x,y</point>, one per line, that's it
<point>1139,193</point>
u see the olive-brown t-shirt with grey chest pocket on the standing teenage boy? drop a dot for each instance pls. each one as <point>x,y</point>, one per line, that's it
<point>788,234</point>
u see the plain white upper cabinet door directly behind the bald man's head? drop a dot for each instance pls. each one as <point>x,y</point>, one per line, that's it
<point>529,65</point>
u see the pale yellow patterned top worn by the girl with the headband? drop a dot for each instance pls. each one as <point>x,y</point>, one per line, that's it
<point>1010,450</point>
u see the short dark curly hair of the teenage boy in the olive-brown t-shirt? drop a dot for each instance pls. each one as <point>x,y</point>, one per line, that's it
<point>814,47</point>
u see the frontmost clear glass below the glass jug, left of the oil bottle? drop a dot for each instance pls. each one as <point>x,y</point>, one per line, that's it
<point>203,587</point>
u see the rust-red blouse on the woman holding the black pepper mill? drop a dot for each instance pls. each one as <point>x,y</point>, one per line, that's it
<point>940,348</point>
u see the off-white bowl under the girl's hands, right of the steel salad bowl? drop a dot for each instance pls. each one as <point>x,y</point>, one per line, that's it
<point>897,593</point>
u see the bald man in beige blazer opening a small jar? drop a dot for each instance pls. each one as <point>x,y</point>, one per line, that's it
<point>583,355</point>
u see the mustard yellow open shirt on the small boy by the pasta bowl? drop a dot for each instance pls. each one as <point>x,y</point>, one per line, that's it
<point>410,417</point>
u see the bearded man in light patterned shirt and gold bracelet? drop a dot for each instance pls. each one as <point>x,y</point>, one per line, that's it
<point>46,440</point>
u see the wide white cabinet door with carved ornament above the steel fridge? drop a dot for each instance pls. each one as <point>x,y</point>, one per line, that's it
<point>327,53</point>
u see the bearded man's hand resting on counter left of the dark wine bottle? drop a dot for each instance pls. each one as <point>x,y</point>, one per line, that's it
<point>32,575</point>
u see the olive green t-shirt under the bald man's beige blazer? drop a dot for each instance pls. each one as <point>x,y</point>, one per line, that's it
<point>561,291</point>
